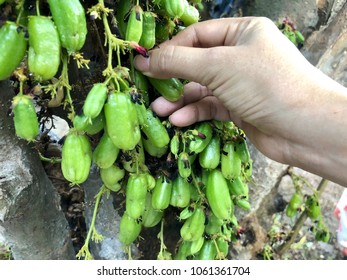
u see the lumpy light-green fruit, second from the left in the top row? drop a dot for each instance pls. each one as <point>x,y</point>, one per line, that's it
<point>44,48</point>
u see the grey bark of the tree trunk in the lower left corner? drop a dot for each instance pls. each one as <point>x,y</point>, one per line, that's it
<point>31,221</point>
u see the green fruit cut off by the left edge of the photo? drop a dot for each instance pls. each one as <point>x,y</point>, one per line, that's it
<point>12,48</point>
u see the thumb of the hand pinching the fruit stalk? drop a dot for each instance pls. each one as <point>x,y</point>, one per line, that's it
<point>177,61</point>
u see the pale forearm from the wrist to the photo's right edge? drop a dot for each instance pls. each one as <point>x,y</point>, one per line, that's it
<point>319,137</point>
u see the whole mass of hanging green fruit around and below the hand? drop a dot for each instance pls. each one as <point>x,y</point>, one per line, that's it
<point>203,170</point>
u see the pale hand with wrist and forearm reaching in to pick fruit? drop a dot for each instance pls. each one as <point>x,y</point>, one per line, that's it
<point>245,70</point>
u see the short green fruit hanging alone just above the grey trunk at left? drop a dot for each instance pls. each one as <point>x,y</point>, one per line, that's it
<point>25,119</point>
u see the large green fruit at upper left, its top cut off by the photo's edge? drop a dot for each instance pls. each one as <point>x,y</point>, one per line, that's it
<point>70,19</point>
